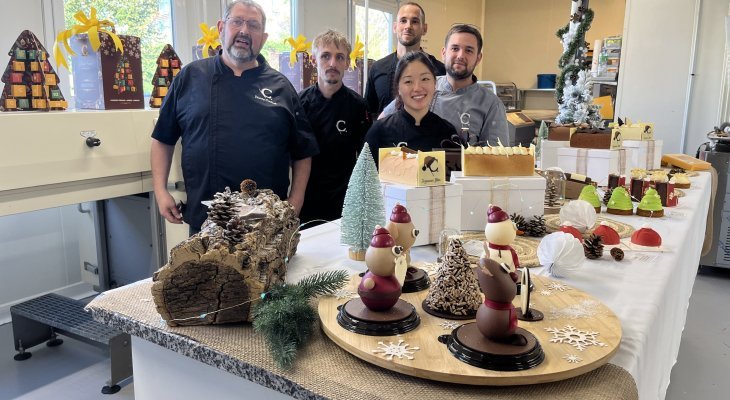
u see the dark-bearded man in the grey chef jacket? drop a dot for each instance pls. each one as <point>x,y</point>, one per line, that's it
<point>475,111</point>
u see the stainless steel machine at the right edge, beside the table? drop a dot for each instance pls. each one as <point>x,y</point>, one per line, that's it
<point>717,153</point>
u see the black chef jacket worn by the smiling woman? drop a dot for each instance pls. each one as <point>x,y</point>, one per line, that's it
<point>401,127</point>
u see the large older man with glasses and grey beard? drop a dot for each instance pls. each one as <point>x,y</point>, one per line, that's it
<point>237,117</point>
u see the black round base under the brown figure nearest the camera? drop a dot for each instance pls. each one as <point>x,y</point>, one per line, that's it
<point>495,362</point>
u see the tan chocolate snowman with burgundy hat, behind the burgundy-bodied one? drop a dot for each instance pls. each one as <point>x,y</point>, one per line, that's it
<point>404,233</point>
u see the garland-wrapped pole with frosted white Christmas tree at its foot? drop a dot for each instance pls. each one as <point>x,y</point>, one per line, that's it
<point>573,89</point>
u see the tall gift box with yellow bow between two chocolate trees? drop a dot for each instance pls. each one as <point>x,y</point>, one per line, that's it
<point>107,68</point>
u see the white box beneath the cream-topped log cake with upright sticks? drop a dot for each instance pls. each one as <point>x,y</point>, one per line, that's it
<point>524,195</point>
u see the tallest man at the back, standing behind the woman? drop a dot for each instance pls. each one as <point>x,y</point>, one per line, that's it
<point>409,27</point>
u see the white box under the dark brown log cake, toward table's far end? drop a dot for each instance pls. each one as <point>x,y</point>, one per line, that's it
<point>595,163</point>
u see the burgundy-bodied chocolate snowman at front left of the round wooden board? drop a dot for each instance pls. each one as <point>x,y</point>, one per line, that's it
<point>379,288</point>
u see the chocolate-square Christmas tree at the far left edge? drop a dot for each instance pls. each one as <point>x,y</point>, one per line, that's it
<point>30,81</point>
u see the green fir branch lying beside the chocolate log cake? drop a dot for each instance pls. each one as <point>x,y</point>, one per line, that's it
<point>285,316</point>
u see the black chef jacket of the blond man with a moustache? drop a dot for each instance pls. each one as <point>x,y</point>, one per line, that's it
<point>339,124</point>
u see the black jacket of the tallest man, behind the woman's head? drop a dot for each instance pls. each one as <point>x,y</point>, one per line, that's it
<point>379,90</point>
